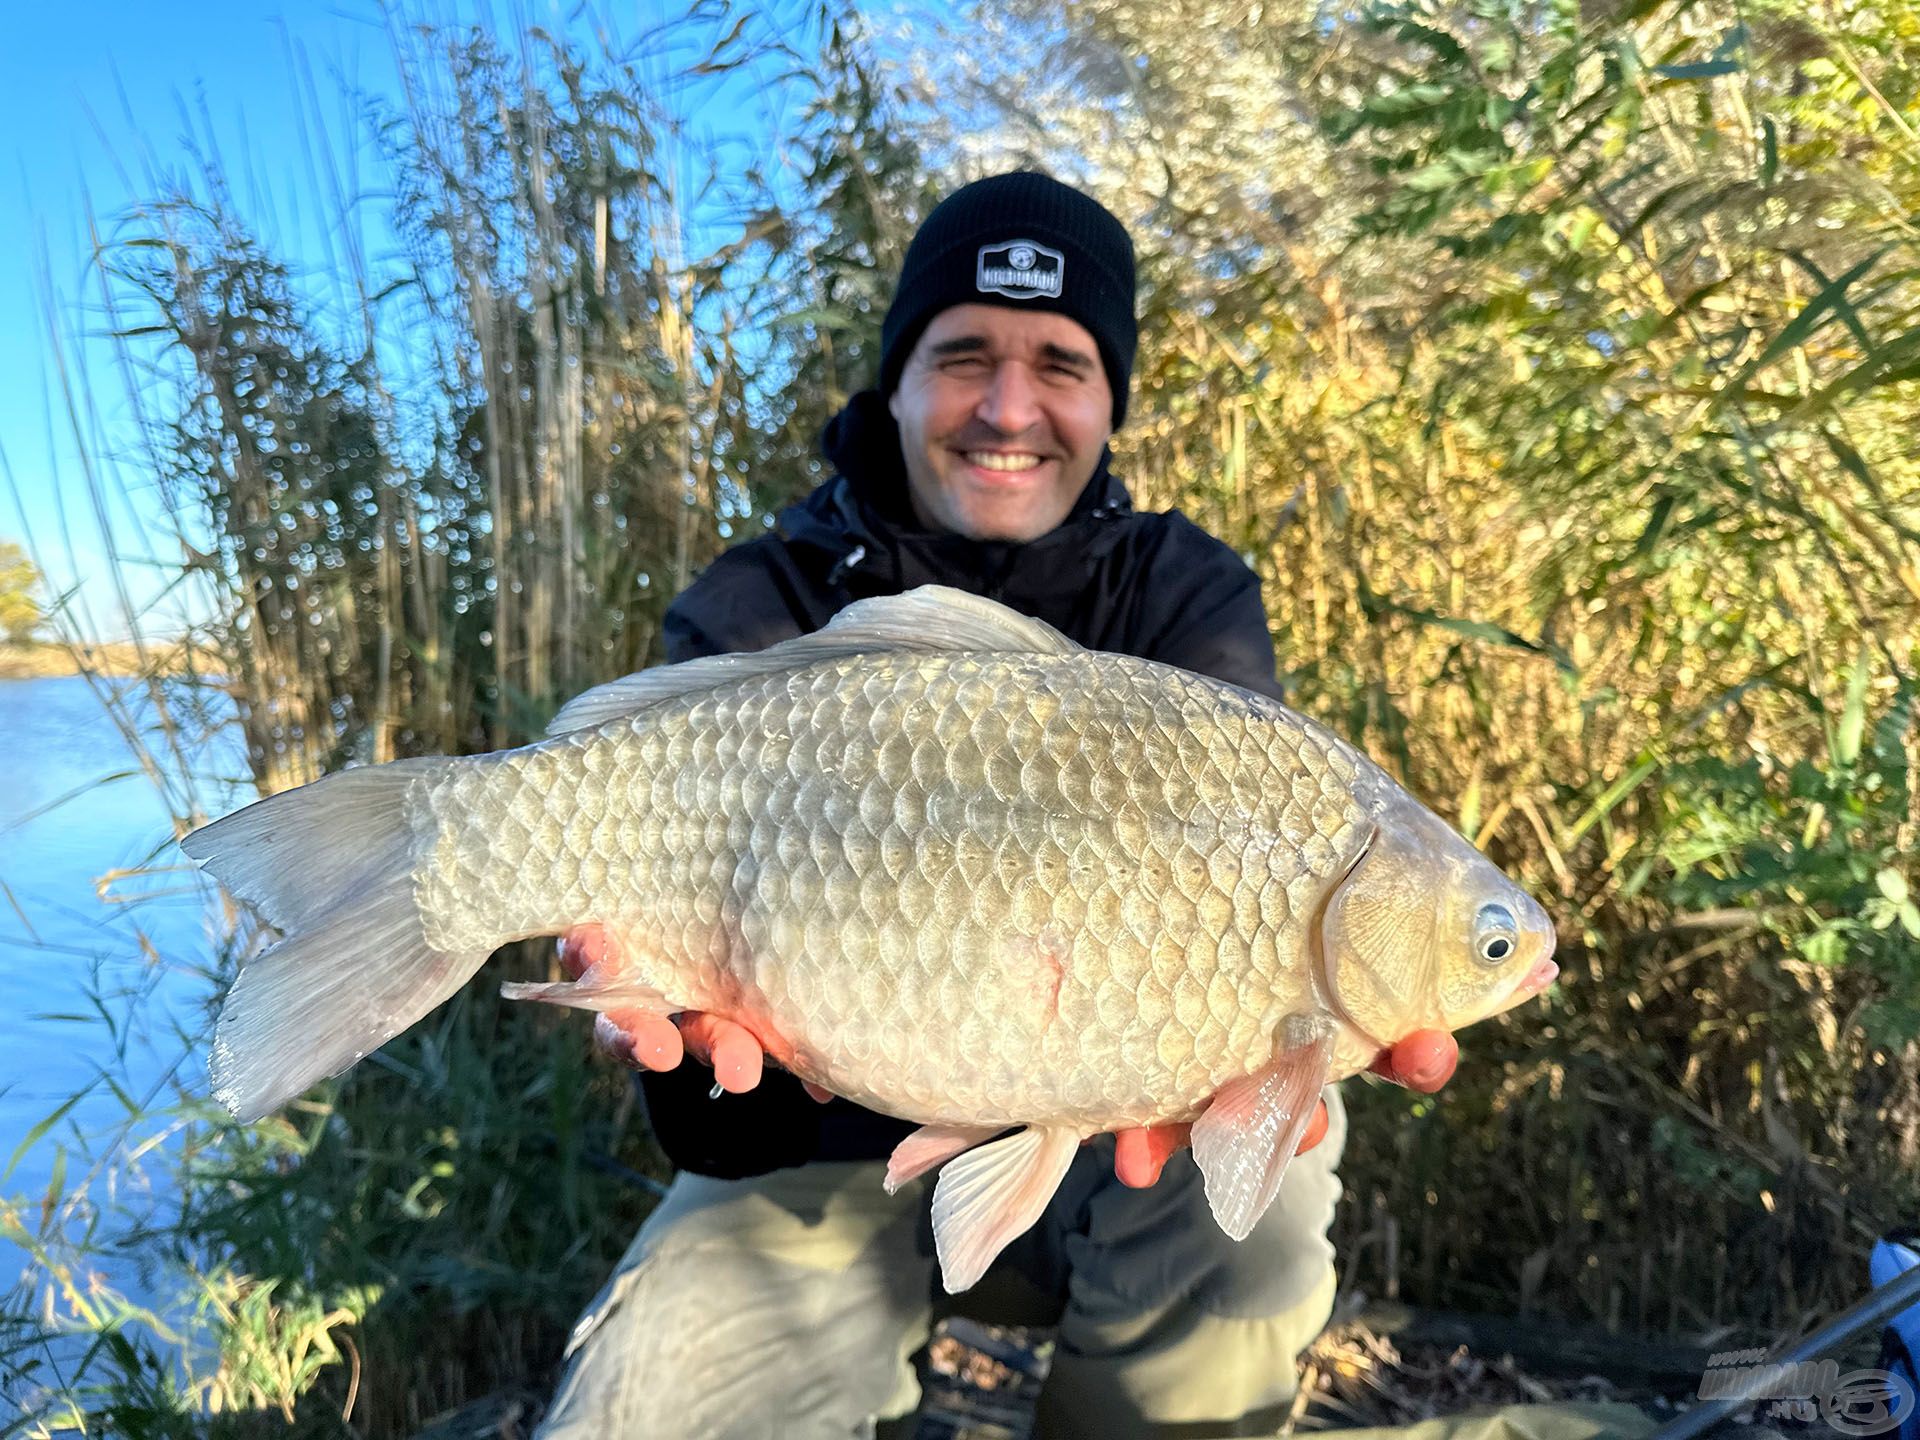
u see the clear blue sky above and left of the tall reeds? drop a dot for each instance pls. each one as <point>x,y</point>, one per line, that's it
<point>99,103</point>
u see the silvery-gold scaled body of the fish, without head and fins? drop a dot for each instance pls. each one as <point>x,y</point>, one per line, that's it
<point>967,888</point>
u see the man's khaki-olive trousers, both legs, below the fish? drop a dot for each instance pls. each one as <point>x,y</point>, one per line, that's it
<point>792,1307</point>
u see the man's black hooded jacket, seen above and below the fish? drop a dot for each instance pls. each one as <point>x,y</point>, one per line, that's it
<point>1113,579</point>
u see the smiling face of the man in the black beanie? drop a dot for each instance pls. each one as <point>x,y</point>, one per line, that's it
<point>1003,416</point>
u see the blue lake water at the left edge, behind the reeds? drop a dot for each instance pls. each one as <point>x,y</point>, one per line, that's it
<point>68,955</point>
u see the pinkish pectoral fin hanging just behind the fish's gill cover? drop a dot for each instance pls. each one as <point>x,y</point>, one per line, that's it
<point>1249,1132</point>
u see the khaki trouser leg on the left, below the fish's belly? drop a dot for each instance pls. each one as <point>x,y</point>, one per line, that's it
<point>788,1305</point>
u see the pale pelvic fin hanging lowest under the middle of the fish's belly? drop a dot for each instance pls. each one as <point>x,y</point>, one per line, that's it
<point>994,1193</point>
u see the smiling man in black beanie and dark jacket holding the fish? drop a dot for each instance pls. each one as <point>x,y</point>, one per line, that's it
<point>780,1291</point>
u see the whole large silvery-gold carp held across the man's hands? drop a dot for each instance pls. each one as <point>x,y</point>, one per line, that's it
<point>938,859</point>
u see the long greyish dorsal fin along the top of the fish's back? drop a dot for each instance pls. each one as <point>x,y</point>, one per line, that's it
<point>926,619</point>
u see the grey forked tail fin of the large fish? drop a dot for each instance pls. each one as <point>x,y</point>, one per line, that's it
<point>333,869</point>
